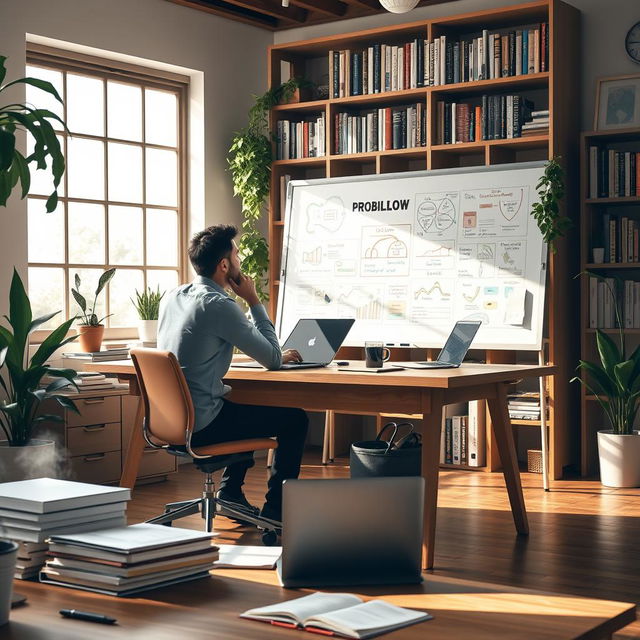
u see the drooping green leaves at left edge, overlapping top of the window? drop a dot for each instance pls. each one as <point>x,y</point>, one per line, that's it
<point>14,167</point>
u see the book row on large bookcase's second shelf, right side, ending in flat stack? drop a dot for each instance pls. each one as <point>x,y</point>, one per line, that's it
<point>498,117</point>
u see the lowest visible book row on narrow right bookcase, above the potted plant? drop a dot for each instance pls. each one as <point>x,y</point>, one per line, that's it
<point>602,313</point>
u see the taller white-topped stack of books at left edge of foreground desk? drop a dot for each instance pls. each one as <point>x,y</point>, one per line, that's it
<point>33,510</point>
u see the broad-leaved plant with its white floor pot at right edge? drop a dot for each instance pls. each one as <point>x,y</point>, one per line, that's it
<point>615,382</point>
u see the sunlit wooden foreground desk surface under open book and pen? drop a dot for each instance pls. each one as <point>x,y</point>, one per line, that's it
<point>209,608</point>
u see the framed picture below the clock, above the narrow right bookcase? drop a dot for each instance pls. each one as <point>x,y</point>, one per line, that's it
<point>617,103</point>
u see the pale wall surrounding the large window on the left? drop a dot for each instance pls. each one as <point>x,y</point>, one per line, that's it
<point>231,56</point>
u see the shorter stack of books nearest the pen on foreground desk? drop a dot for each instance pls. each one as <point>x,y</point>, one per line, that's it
<point>126,560</point>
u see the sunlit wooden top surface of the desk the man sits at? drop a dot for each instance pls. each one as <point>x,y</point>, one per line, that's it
<point>467,374</point>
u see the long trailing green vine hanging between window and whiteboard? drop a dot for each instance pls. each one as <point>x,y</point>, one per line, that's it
<point>250,157</point>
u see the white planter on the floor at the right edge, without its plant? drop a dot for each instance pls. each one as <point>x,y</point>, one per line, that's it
<point>619,459</point>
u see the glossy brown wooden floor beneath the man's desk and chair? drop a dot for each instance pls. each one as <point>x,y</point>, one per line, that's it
<point>584,540</point>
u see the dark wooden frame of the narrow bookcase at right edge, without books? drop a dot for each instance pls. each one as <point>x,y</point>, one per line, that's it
<point>592,211</point>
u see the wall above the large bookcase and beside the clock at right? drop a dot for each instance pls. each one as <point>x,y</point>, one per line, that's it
<point>604,26</point>
